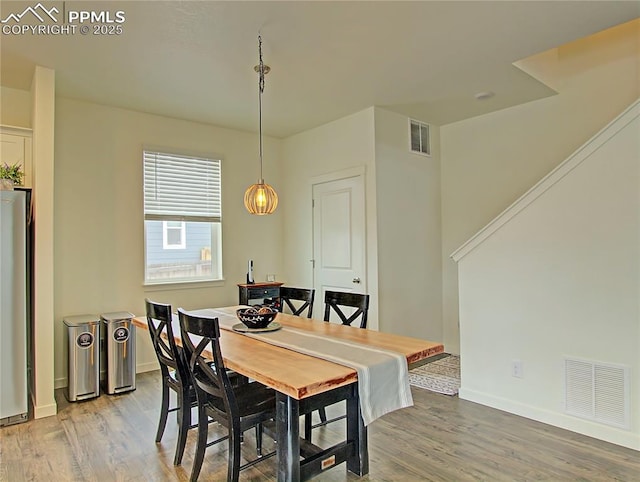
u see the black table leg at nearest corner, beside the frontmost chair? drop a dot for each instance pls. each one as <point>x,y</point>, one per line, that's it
<point>288,438</point>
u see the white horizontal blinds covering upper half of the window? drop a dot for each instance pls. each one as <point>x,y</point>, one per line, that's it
<point>181,188</point>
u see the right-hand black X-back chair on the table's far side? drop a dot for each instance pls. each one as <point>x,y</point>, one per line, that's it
<point>337,302</point>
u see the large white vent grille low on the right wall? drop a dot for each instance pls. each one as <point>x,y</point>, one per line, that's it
<point>597,391</point>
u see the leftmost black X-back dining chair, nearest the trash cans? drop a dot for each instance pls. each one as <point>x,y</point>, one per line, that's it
<point>175,374</point>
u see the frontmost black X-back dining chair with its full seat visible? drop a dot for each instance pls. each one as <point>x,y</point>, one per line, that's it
<point>238,408</point>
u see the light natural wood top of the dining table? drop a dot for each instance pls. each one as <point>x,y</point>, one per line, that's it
<point>299,375</point>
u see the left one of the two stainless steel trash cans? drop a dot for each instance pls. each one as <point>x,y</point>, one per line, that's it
<point>84,357</point>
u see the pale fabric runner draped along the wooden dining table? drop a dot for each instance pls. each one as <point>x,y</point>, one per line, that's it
<point>383,375</point>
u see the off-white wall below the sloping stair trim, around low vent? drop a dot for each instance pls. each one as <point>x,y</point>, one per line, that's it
<point>560,278</point>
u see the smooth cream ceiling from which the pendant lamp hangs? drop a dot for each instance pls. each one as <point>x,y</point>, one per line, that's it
<point>194,59</point>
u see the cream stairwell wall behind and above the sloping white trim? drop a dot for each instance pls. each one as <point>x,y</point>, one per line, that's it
<point>491,160</point>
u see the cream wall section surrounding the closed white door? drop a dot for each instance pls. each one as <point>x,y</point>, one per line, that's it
<point>338,145</point>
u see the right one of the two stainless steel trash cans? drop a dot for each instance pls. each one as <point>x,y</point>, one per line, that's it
<point>119,335</point>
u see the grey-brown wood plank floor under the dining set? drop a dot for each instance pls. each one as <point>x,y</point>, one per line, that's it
<point>441,438</point>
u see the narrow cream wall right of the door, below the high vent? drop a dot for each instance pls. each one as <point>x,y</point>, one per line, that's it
<point>409,248</point>
